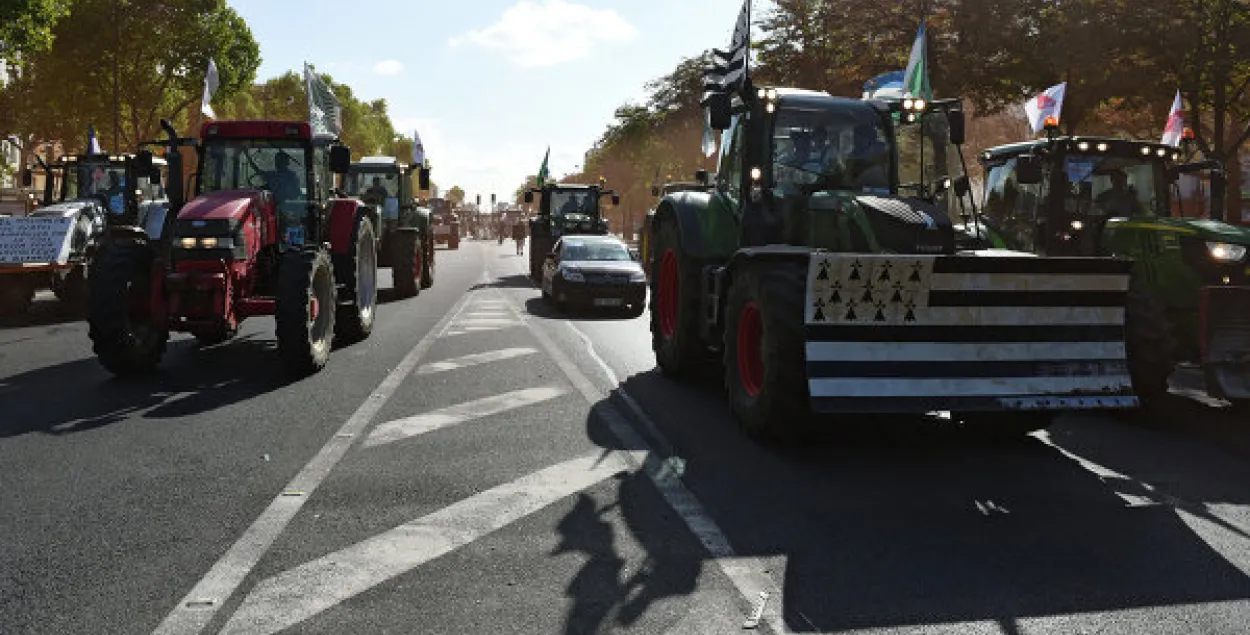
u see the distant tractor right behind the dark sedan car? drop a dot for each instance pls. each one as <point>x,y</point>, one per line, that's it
<point>566,211</point>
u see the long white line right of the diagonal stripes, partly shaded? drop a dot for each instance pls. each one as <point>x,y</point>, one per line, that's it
<point>747,573</point>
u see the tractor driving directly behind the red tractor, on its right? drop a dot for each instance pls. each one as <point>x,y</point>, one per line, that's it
<point>407,237</point>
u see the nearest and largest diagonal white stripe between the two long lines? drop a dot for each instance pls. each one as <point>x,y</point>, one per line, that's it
<point>298,594</point>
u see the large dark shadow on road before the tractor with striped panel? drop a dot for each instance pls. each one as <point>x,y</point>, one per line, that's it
<point>899,527</point>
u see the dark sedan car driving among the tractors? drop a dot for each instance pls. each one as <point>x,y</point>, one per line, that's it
<point>597,272</point>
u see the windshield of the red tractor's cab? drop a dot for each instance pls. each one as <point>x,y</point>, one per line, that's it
<point>277,167</point>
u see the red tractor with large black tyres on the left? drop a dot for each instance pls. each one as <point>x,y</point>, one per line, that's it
<point>262,236</point>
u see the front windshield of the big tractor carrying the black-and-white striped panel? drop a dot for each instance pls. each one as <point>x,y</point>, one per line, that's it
<point>837,148</point>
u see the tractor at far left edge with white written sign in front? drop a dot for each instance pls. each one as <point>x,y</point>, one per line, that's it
<point>54,246</point>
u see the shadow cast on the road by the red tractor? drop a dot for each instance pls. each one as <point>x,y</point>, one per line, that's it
<point>81,396</point>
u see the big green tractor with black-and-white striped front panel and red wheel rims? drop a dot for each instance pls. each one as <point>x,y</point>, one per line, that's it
<point>822,276</point>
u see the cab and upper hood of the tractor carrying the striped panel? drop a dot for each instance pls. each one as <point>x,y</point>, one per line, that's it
<point>808,169</point>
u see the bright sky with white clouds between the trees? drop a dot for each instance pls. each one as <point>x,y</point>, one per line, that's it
<point>491,84</point>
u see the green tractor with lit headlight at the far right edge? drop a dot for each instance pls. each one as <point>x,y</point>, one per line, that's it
<point>1189,304</point>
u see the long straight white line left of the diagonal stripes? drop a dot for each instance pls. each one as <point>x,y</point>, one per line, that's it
<point>198,608</point>
